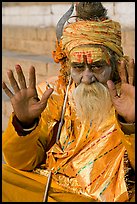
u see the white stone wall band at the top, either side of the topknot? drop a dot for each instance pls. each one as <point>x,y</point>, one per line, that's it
<point>47,14</point>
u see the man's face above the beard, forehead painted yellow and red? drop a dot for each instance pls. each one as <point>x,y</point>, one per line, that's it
<point>88,66</point>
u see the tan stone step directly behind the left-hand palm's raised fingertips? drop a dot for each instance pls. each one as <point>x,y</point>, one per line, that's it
<point>44,64</point>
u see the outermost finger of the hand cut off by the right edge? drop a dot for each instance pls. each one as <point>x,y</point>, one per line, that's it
<point>131,72</point>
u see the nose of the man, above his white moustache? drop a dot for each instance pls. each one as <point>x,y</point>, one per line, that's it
<point>88,76</point>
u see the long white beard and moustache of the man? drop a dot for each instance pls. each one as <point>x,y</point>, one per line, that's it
<point>93,102</point>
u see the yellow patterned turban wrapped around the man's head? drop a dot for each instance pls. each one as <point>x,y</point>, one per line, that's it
<point>107,33</point>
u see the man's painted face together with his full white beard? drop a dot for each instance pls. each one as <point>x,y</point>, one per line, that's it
<point>92,100</point>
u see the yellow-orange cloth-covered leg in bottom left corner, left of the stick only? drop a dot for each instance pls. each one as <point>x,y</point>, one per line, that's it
<point>19,188</point>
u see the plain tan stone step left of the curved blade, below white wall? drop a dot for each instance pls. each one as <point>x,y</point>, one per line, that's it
<point>33,40</point>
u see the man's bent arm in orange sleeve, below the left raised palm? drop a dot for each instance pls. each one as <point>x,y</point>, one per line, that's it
<point>27,149</point>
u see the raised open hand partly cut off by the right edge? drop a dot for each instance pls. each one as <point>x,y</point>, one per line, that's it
<point>124,102</point>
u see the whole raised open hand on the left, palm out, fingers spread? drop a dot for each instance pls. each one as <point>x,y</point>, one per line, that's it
<point>26,104</point>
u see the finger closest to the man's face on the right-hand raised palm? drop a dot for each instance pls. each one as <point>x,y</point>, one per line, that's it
<point>122,71</point>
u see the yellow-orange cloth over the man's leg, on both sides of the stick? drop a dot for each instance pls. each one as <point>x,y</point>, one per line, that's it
<point>17,187</point>
